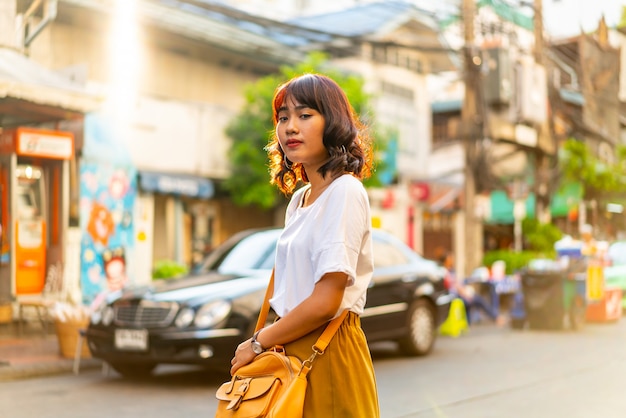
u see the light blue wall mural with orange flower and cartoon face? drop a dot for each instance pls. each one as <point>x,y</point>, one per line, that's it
<point>108,190</point>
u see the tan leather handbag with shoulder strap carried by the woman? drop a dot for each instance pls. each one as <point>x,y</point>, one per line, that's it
<point>273,384</point>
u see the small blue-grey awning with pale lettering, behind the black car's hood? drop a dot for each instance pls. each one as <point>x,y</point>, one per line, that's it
<point>176,184</point>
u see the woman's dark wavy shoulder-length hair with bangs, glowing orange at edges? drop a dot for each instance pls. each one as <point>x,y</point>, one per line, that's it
<point>346,139</point>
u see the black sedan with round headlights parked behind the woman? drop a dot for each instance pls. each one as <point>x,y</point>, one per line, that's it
<point>200,319</point>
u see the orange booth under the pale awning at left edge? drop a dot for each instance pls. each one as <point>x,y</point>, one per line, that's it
<point>34,184</point>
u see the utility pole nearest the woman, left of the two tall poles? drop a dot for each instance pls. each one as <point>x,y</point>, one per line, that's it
<point>473,235</point>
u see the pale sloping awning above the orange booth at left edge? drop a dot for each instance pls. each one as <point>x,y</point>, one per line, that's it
<point>31,93</point>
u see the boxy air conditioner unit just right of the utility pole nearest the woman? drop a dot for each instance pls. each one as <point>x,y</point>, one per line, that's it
<point>498,75</point>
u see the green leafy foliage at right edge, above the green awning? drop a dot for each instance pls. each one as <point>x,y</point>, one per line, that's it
<point>578,163</point>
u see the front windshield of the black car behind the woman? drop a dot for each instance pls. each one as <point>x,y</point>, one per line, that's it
<point>242,255</point>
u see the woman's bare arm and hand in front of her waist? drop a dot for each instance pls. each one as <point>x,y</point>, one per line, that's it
<point>313,312</point>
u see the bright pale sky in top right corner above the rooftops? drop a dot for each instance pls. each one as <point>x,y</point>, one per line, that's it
<point>564,18</point>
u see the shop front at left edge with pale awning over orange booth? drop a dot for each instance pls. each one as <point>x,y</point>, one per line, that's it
<point>37,153</point>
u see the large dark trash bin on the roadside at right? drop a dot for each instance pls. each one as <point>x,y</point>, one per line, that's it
<point>552,300</point>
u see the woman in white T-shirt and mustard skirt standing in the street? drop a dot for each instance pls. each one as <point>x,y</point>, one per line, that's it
<point>324,255</point>
